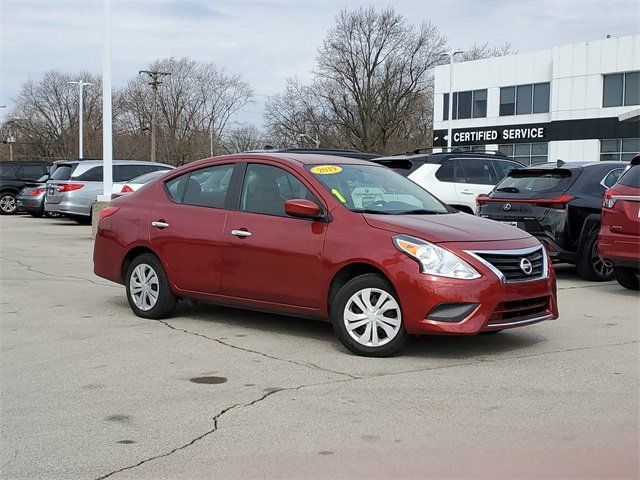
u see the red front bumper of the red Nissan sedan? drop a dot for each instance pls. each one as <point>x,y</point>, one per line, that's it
<point>499,305</point>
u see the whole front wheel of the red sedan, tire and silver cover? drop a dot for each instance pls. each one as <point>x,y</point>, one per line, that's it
<point>367,317</point>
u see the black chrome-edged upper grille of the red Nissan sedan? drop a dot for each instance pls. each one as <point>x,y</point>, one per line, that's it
<point>511,265</point>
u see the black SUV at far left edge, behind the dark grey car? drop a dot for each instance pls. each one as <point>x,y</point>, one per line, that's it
<point>13,177</point>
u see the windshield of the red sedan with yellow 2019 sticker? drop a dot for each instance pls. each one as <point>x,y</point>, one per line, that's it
<point>376,189</point>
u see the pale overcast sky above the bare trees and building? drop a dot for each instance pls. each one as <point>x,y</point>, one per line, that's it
<point>268,41</point>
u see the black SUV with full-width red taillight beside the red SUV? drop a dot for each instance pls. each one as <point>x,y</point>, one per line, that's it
<point>560,204</point>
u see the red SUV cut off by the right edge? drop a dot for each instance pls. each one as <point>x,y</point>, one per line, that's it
<point>619,240</point>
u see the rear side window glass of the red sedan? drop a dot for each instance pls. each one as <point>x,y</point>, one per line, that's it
<point>206,187</point>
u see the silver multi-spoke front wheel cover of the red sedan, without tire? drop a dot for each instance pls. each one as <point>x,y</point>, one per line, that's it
<point>372,317</point>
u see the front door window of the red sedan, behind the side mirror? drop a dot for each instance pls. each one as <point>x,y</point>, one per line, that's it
<point>266,188</point>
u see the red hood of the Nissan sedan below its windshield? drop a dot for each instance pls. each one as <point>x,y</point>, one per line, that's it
<point>452,227</point>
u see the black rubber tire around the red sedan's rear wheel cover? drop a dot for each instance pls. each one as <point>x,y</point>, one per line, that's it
<point>166,300</point>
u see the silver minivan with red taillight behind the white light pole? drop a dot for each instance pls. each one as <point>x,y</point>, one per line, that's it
<point>75,185</point>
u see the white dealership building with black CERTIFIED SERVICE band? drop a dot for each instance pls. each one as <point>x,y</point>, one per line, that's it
<point>573,102</point>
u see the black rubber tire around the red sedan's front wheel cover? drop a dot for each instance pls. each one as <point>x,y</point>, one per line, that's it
<point>337,311</point>
